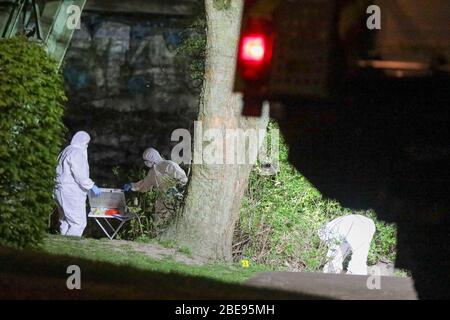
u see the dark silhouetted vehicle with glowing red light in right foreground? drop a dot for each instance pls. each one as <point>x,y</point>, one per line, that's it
<point>365,111</point>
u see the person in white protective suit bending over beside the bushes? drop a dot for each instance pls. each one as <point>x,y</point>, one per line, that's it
<point>352,233</point>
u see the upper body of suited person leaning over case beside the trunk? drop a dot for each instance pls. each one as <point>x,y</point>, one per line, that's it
<point>163,174</point>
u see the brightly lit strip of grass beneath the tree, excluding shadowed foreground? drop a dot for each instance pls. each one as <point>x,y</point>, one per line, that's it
<point>102,251</point>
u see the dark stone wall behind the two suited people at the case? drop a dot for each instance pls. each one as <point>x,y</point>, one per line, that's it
<point>126,88</point>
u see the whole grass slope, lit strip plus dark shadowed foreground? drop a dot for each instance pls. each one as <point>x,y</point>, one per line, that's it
<point>107,273</point>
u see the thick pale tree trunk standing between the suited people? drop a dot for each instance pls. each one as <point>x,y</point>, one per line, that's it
<point>215,191</point>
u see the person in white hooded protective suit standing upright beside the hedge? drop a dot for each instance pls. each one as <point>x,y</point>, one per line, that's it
<point>72,185</point>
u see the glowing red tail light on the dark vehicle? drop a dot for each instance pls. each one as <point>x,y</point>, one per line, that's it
<point>255,50</point>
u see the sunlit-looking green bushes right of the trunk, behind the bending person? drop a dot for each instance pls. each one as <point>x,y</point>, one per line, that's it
<point>280,217</point>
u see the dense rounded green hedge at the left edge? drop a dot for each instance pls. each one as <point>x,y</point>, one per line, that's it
<point>31,131</point>
